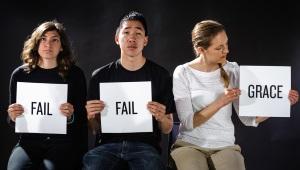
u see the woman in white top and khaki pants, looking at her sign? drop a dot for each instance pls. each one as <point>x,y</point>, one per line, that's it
<point>204,91</point>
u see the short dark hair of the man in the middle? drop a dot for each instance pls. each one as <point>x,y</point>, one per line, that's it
<point>133,16</point>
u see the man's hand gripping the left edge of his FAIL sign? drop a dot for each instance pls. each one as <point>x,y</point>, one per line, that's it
<point>94,107</point>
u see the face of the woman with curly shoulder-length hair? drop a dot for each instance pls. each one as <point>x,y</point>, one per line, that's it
<point>50,46</point>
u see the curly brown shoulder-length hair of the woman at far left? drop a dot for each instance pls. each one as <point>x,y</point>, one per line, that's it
<point>30,55</point>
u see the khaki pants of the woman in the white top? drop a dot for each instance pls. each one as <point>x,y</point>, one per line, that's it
<point>191,157</point>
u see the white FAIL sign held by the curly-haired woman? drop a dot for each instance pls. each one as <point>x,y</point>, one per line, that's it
<point>41,104</point>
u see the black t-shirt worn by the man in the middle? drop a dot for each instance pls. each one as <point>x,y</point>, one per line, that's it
<point>161,83</point>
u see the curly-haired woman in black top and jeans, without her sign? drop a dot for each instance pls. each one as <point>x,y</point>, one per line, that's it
<point>48,58</point>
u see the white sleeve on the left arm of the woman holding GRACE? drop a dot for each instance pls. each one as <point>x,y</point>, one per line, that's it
<point>182,98</point>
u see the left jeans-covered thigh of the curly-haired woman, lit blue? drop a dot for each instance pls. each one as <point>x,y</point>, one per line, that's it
<point>19,159</point>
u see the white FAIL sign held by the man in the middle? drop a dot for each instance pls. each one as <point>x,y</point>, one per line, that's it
<point>125,108</point>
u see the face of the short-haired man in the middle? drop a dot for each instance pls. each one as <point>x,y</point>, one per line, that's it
<point>131,39</point>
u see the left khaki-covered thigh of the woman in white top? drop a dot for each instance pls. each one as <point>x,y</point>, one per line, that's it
<point>189,158</point>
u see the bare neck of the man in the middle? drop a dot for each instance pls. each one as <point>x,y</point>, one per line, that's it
<point>132,63</point>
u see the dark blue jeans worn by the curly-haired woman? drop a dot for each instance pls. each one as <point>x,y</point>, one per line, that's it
<point>46,155</point>
